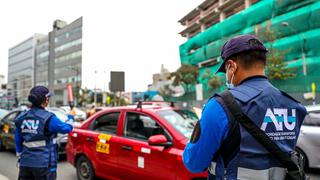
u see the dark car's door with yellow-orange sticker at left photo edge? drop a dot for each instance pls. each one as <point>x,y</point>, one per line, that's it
<point>8,129</point>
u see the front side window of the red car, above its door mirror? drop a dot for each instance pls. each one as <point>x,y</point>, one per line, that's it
<point>141,126</point>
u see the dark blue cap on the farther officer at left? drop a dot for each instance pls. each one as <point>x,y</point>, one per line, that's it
<point>38,94</point>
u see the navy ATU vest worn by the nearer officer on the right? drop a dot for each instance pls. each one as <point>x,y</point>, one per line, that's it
<point>276,113</point>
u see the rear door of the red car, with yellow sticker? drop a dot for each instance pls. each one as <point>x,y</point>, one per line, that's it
<point>102,140</point>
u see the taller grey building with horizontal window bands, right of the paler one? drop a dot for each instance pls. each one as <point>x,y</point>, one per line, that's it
<point>58,60</point>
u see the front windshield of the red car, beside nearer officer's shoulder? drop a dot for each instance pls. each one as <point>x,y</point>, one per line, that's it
<point>182,120</point>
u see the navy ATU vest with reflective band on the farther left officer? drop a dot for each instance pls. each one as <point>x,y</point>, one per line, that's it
<point>39,146</point>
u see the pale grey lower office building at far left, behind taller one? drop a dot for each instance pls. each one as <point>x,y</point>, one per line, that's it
<point>21,68</point>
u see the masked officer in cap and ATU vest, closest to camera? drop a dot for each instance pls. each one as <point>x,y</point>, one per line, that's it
<point>228,151</point>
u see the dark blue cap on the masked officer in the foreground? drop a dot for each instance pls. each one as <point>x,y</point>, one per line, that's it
<point>240,44</point>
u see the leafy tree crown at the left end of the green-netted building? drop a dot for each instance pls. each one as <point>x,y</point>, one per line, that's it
<point>186,75</point>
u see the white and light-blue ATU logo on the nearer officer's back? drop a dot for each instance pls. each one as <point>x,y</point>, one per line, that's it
<point>279,117</point>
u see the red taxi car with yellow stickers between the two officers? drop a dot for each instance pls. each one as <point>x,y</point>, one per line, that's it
<point>133,142</point>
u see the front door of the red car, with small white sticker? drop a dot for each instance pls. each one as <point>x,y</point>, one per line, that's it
<point>139,160</point>
